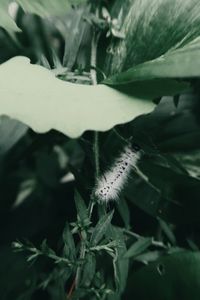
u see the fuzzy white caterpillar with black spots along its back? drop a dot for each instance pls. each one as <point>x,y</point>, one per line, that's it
<point>111,183</point>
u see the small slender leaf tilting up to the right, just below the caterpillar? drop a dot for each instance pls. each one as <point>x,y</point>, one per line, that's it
<point>101,228</point>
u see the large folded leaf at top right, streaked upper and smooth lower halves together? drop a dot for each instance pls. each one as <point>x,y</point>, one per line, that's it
<point>161,42</point>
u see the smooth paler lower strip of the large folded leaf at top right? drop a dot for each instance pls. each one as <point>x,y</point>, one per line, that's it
<point>178,63</point>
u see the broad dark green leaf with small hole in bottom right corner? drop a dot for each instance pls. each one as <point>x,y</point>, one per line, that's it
<point>171,277</point>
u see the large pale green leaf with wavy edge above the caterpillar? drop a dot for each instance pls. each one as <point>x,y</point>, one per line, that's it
<point>31,94</point>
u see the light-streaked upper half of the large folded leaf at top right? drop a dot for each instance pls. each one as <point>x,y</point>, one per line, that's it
<point>151,29</point>
